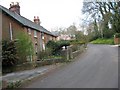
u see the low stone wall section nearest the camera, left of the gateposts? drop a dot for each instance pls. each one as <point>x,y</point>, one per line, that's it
<point>32,65</point>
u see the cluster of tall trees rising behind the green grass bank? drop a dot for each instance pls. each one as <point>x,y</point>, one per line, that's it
<point>103,18</point>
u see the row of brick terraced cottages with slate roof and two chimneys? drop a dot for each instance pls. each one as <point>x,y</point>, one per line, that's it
<point>13,23</point>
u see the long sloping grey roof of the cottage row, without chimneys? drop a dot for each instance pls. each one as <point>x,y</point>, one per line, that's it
<point>24,21</point>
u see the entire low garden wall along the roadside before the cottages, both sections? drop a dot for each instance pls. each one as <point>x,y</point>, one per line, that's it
<point>66,55</point>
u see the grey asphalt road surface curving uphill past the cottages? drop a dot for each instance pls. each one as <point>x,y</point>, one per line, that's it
<point>96,68</point>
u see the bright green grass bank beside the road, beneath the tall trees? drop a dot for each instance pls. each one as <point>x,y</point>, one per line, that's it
<point>103,41</point>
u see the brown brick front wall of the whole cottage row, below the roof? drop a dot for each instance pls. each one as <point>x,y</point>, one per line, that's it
<point>17,27</point>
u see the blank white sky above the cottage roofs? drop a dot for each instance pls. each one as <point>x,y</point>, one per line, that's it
<point>52,13</point>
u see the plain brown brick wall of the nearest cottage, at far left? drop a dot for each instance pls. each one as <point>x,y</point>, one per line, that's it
<point>16,27</point>
